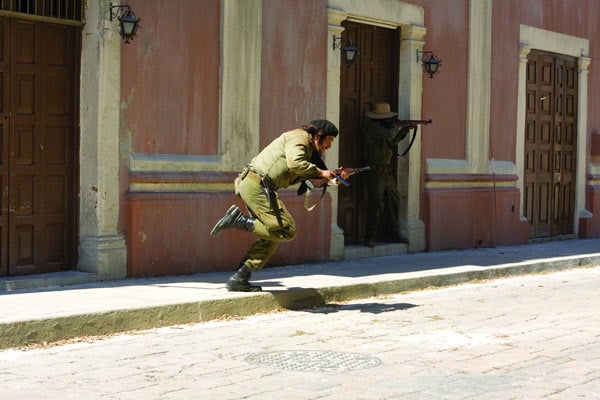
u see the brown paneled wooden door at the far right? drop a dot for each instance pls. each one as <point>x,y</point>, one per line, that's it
<point>550,144</point>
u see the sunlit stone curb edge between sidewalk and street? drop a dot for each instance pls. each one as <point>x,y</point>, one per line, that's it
<point>45,331</point>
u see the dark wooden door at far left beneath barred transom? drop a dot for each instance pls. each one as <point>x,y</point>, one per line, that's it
<point>39,92</point>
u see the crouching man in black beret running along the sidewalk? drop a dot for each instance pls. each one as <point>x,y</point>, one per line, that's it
<point>284,162</point>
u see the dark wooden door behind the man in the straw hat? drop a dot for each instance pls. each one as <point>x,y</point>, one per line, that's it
<point>372,78</point>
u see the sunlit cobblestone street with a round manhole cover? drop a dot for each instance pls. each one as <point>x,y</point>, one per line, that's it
<point>532,337</point>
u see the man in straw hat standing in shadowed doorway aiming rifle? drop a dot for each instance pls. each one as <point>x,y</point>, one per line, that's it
<point>382,135</point>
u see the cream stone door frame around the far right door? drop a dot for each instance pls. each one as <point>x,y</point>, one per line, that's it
<point>553,42</point>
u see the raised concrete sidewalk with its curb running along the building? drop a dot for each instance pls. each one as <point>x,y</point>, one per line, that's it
<point>34,316</point>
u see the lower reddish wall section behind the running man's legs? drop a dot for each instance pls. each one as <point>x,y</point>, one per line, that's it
<point>169,234</point>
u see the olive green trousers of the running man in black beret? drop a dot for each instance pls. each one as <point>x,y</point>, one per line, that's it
<point>273,222</point>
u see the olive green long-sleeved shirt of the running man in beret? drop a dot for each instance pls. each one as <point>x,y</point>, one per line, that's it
<point>286,159</point>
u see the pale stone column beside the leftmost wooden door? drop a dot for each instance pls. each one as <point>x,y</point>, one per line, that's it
<point>102,248</point>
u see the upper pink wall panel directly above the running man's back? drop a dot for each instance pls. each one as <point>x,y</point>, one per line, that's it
<point>294,65</point>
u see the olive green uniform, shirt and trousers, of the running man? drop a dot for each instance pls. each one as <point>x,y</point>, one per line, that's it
<point>282,163</point>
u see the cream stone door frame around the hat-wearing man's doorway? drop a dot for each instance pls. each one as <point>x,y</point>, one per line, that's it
<point>410,19</point>
